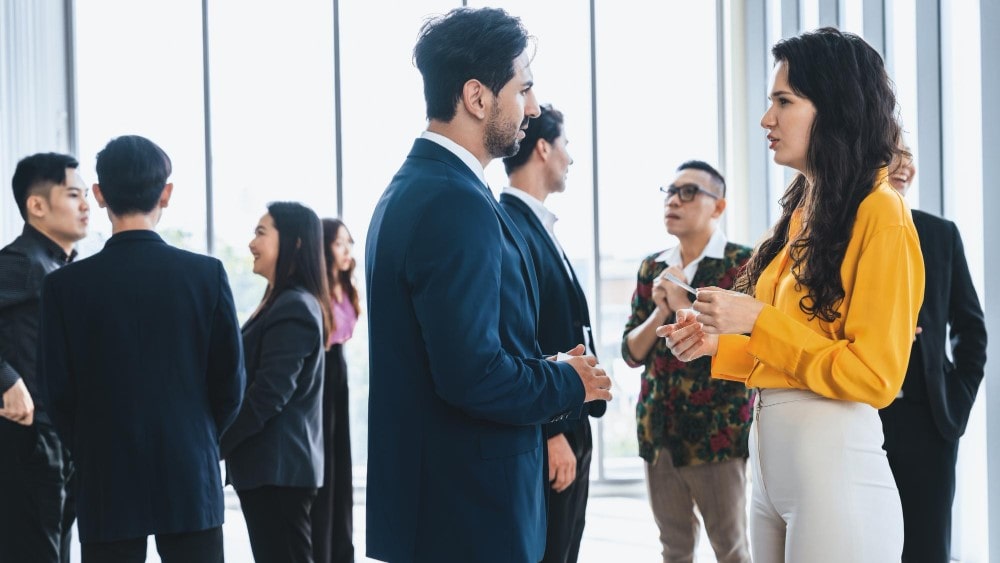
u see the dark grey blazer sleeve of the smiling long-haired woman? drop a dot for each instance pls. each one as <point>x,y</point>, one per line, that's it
<point>288,339</point>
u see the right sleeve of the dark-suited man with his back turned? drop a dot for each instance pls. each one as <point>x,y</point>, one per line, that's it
<point>226,376</point>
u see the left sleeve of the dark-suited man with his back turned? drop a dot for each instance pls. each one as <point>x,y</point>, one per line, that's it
<point>56,381</point>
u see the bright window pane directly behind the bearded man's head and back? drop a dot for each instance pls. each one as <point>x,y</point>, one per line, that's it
<point>383,112</point>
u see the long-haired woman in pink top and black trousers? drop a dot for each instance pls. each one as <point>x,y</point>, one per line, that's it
<point>332,520</point>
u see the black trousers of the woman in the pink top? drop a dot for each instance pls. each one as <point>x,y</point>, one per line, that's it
<point>332,512</point>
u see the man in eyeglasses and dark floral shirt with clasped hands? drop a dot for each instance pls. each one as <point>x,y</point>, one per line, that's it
<point>692,429</point>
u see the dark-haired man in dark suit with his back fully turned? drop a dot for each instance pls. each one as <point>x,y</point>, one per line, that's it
<point>141,366</point>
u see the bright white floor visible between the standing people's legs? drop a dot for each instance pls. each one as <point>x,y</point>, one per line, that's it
<point>620,527</point>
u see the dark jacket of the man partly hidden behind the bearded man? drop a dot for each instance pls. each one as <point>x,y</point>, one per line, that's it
<point>563,315</point>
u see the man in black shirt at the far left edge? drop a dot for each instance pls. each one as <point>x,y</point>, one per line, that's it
<point>35,470</point>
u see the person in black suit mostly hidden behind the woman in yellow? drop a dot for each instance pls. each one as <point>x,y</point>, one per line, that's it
<point>923,425</point>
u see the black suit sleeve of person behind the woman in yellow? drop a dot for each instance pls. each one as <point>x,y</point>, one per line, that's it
<point>967,325</point>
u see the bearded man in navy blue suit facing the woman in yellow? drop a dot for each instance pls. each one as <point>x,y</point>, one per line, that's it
<point>458,384</point>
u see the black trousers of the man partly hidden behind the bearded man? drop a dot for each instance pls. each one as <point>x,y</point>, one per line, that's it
<point>567,511</point>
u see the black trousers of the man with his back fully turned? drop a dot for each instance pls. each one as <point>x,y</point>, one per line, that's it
<point>203,546</point>
